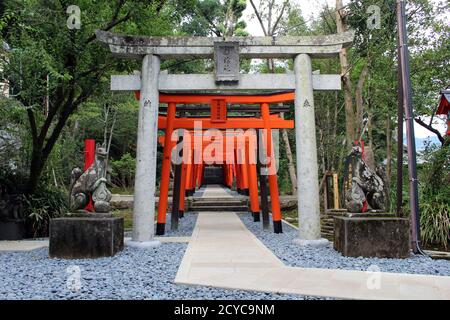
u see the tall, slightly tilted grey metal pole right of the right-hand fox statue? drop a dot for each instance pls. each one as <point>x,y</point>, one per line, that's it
<point>407,102</point>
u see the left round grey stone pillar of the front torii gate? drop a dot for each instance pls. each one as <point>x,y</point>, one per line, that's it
<point>145,182</point>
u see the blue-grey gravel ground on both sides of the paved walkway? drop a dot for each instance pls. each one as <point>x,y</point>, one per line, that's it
<point>149,274</point>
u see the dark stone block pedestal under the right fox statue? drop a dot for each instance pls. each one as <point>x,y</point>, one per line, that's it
<point>372,237</point>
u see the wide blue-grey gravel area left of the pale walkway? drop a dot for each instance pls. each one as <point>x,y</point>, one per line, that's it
<point>131,274</point>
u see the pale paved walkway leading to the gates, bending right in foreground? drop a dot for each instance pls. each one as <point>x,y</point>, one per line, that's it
<point>223,253</point>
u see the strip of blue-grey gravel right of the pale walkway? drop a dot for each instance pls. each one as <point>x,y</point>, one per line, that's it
<point>295,256</point>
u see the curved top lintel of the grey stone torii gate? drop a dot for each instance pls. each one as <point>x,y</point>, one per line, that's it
<point>322,46</point>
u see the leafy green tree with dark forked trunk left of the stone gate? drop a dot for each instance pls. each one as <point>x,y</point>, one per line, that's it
<point>43,44</point>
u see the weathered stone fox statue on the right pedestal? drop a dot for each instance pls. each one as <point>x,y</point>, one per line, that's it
<point>366,185</point>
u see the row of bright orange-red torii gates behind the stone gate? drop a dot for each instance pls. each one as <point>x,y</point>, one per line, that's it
<point>246,157</point>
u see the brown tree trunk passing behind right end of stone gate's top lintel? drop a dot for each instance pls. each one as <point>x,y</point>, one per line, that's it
<point>350,131</point>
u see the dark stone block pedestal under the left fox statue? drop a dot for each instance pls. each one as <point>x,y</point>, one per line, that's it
<point>85,237</point>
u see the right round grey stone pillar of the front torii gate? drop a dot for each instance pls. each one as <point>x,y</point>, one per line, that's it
<point>306,150</point>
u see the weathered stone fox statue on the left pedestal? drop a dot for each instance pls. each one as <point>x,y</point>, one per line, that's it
<point>90,184</point>
